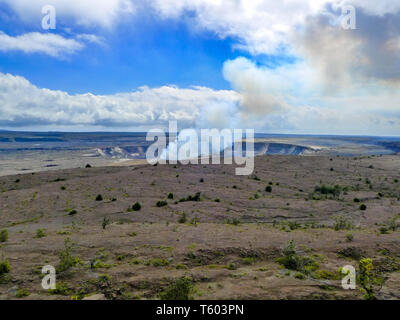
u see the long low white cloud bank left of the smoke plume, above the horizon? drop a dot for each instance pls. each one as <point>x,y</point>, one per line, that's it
<point>24,105</point>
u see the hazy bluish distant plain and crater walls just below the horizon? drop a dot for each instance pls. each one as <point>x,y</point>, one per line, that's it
<point>27,152</point>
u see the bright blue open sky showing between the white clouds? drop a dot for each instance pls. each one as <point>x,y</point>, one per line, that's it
<point>136,53</point>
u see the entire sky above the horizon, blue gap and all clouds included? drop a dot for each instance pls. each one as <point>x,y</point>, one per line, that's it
<point>278,67</point>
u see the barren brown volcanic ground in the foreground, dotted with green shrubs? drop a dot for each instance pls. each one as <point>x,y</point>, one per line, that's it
<point>226,232</point>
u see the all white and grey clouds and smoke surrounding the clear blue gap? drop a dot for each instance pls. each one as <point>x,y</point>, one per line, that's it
<point>341,81</point>
